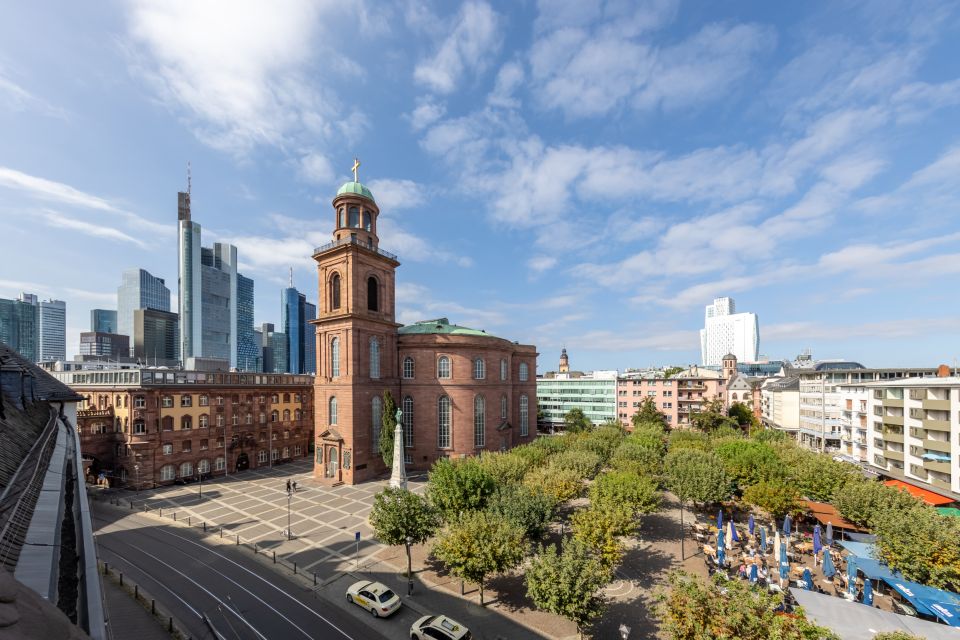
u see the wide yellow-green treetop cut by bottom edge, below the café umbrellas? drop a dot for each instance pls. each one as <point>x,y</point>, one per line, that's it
<point>695,610</point>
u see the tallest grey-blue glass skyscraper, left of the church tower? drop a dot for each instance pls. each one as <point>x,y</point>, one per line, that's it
<point>211,293</point>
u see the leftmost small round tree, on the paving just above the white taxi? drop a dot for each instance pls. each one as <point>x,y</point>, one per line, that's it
<point>402,517</point>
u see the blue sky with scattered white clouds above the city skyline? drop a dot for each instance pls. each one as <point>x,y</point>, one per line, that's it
<point>561,173</point>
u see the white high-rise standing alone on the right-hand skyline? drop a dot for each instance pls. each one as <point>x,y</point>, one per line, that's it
<point>726,331</point>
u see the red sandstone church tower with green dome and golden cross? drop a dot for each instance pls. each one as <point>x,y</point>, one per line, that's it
<point>356,339</point>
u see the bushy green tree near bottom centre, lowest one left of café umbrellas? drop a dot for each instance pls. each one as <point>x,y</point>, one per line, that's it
<point>566,583</point>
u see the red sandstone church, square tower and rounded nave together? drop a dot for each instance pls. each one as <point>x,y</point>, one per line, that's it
<point>461,391</point>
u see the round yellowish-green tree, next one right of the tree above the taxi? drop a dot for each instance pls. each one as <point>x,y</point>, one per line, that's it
<point>479,544</point>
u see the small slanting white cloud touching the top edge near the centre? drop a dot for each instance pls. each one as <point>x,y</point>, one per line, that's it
<point>472,40</point>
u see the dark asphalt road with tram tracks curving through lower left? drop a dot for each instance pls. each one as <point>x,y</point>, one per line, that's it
<point>192,578</point>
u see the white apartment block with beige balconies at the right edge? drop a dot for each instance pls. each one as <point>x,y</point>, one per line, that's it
<point>913,431</point>
